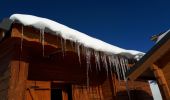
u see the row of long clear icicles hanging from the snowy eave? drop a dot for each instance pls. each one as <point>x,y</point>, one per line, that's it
<point>116,63</point>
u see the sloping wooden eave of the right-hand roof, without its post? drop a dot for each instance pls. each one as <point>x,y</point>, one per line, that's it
<point>159,55</point>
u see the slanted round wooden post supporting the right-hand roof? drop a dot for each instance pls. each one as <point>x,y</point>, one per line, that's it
<point>163,86</point>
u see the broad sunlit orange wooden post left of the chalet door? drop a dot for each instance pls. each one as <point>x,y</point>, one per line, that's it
<point>18,77</point>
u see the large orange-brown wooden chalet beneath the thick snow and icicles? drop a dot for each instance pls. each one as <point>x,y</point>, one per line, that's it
<point>36,69</point>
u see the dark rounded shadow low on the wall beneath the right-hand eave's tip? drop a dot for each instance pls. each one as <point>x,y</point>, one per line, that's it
<point>134,95</point>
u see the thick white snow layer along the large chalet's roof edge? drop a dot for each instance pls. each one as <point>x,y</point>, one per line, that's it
<point>70,34</point>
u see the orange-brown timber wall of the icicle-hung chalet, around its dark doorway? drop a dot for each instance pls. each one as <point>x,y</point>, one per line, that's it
<point>26,69</point>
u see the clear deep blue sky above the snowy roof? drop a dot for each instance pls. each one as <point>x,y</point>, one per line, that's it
<point>125,23</point>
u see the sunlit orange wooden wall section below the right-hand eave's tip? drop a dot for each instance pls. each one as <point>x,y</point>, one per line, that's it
<point>139,90</point>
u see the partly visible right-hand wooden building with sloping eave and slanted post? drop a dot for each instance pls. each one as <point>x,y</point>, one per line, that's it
<point>155,65</point>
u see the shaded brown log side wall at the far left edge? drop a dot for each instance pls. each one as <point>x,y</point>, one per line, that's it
<point>6,54</point>
